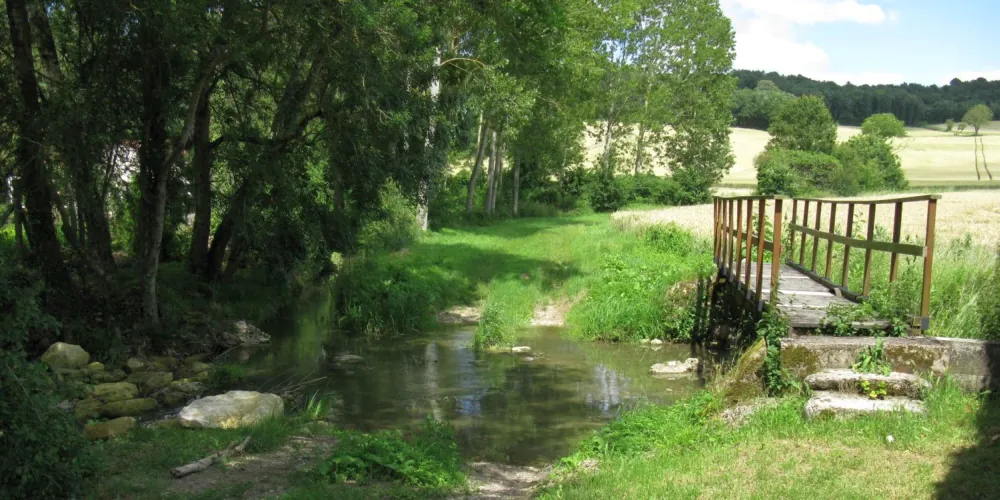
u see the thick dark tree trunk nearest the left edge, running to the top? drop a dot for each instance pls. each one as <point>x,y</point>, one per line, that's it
<point>38,218</point>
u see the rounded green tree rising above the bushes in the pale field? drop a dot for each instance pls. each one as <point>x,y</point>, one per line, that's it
<point>803,124</point>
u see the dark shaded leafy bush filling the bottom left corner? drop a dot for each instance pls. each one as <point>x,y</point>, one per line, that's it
<point>46,454</point>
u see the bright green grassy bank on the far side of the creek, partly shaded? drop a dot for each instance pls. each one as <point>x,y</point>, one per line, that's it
<point>620,279</point>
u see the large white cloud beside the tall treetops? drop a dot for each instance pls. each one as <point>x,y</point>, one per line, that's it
<point>765,39</point>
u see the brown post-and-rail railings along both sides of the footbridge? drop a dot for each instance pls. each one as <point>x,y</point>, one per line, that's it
<point>739,229</point>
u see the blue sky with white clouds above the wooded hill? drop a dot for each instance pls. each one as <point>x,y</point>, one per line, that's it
<point>868,41</point>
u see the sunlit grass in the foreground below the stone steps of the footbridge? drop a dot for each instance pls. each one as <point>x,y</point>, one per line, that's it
<point>682,452</point>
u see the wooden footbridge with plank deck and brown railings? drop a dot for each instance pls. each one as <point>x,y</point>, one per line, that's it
<point>800,261</point>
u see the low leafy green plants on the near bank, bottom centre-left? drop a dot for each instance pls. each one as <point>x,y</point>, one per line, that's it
<point>430,460</point>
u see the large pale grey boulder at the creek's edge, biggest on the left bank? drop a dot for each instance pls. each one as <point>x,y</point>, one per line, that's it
<point>230,410</point>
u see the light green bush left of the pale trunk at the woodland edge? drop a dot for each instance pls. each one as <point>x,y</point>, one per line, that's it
<point>393,225</point>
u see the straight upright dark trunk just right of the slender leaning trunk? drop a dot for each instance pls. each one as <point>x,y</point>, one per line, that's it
<point>202,163</point>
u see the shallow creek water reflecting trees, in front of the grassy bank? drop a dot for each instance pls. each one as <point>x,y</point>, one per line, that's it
<point>514,409</point>
